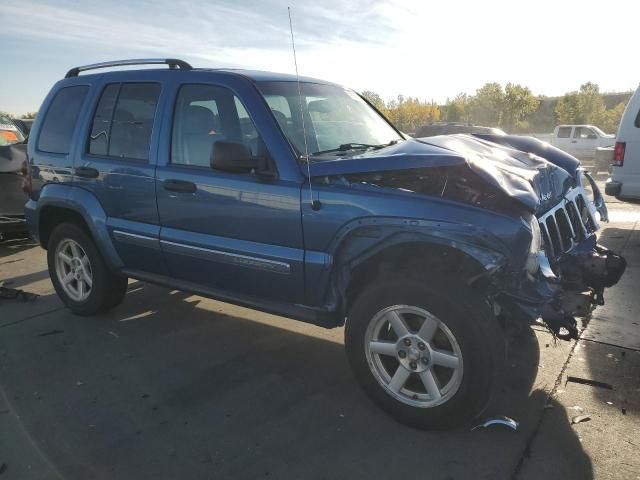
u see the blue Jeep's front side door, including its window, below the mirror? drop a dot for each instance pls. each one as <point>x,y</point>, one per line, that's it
<point>232,232</point>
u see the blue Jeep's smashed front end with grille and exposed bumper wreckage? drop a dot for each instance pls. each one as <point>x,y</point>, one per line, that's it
<point>574,269</point>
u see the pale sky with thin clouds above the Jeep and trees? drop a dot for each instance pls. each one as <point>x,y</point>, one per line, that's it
<point>429,49</point>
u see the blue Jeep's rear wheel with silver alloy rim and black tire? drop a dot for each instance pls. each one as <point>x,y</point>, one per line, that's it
<point>78,272</point>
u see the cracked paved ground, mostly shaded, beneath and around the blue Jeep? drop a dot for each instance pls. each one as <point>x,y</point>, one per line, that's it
<point>172,385</point>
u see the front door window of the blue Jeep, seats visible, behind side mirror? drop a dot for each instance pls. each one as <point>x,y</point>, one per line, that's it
<point>205,114</point>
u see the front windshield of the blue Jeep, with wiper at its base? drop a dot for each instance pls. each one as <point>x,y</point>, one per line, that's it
<point>337,121</point>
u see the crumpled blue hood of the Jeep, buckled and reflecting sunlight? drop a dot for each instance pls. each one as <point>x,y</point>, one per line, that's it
<point>528,179</point>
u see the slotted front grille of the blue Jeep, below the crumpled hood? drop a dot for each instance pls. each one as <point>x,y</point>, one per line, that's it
<point>568,223</point>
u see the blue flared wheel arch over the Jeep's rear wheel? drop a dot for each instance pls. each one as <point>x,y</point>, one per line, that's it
<point>81,202</point>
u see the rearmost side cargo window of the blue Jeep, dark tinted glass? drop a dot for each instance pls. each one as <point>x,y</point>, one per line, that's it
<point>61,118</point>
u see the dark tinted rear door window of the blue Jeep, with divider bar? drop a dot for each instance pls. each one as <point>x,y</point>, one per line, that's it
<point>123,120</point>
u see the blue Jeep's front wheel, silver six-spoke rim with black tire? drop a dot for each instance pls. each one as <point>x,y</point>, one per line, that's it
<point>425,352</point>
